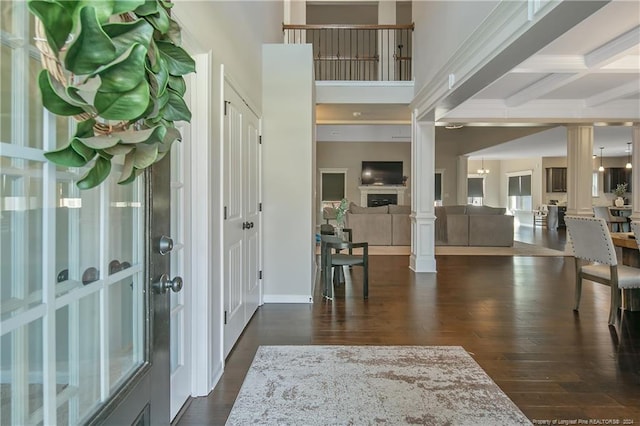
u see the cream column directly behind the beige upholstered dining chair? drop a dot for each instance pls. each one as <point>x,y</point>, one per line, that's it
<point>579,170</point>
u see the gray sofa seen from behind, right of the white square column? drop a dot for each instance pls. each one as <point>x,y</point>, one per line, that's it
<point>473,226</point>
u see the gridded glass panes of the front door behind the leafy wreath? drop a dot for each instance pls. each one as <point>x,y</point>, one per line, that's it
<point>72,314</point>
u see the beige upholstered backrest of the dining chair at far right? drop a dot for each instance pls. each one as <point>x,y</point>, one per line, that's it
<point>591,239</point>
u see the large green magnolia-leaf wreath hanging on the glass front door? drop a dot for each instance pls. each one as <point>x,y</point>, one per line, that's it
<point>117,67</point>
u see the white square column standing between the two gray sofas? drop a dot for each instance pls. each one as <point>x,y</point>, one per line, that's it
<point>422,196</point>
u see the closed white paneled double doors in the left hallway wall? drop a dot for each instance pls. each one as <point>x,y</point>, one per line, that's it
<point>241,197</point>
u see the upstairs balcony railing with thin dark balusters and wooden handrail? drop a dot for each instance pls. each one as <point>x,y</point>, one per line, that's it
<point>357,52</point>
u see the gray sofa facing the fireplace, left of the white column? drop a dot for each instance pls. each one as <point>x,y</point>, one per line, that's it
<point>380,226</point>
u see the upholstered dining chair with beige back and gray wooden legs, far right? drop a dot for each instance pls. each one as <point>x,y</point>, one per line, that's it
<point>595,260</point>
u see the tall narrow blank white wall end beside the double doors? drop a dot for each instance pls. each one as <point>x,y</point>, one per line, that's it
<point>288,148</point>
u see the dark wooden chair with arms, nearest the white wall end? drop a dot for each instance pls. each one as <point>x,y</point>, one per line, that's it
<point>333,258</point>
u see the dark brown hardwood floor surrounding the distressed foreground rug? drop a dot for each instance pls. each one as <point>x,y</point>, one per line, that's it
<point>512,314</point>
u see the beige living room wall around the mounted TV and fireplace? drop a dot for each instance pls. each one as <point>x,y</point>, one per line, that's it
<point>350,155</point>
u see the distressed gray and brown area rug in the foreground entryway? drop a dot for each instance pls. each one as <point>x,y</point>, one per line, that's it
<point>365,385</point>
